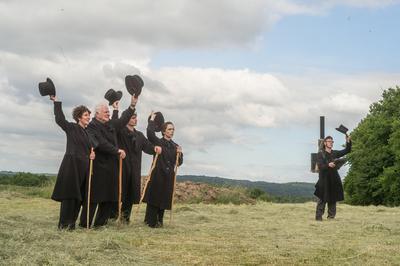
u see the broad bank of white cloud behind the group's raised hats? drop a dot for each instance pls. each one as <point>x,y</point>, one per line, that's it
<point>208,106</point>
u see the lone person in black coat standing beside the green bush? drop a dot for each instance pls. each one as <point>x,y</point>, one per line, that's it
<point>329,188</point>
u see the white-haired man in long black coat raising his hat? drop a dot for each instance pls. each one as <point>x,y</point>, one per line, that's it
<point>104,189</point>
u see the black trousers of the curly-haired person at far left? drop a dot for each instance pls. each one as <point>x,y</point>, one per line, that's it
<point>69,211</point>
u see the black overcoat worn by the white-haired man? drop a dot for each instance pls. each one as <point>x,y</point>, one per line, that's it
<point>104,186</point>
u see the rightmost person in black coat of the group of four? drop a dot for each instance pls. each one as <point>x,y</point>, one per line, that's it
<point>158,194</point>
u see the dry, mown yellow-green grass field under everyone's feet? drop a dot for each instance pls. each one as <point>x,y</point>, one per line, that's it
<point>260,234</point>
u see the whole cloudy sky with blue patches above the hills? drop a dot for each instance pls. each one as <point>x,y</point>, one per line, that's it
<point>244,82</point>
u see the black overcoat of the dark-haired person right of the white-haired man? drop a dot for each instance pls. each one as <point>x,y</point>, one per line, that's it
<point>133,143</point>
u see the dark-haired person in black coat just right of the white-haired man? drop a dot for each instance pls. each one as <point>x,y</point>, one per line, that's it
<point>133,142</point>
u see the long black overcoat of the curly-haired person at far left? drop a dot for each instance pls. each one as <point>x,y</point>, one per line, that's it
<point>74,168</point>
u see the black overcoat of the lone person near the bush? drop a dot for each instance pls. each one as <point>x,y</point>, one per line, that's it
<point>329,187</point>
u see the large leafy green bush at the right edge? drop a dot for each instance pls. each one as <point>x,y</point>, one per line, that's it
<point>373,177</point>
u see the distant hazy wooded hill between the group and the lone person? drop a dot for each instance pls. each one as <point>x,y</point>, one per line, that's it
<point>292,189</point>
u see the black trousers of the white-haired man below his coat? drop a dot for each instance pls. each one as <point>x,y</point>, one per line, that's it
<point>104,210</point>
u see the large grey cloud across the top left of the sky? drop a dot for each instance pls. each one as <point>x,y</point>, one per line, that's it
<point>76,26</point>
